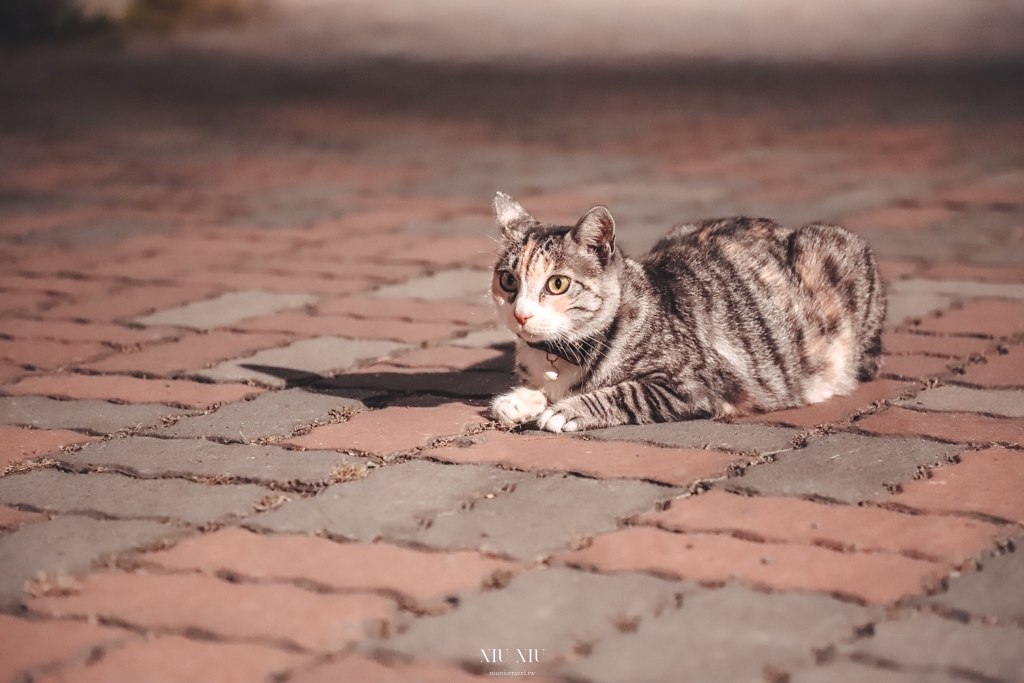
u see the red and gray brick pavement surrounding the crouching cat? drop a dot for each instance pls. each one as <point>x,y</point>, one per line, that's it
<point>246,352</point>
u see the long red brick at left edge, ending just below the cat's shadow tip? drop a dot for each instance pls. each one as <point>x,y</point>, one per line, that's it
<point>133,390</point>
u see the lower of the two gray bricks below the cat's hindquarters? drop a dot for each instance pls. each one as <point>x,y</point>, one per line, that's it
<point>842,467</point>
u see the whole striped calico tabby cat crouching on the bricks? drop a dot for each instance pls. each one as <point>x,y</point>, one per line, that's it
<point>720,319</point>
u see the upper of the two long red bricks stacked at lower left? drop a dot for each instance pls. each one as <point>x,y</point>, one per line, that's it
<point>347,566</point>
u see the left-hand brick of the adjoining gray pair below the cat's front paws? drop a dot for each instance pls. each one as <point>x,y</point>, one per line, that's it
<point>394,502</point>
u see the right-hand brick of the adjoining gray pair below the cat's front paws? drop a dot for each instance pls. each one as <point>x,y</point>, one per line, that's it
<point>544,516</point>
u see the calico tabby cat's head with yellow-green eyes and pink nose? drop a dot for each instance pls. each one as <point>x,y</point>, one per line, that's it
<point>556,283</point>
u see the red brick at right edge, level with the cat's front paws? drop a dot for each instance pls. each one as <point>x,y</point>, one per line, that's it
<point>955,428</point>
